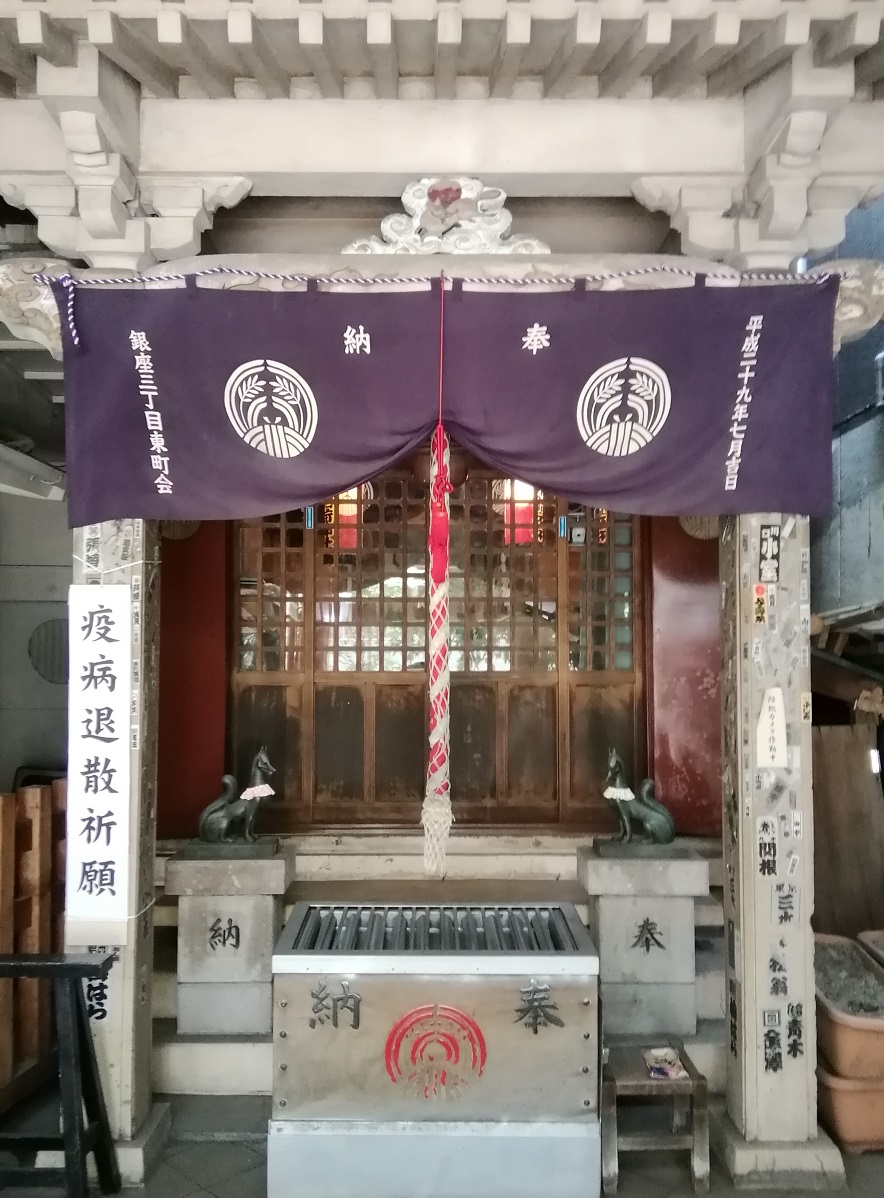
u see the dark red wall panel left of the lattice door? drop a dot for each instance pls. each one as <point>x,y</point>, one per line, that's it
<point>193,677</point>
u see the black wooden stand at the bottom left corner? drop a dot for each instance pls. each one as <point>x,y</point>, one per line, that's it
<point>78,1084</point>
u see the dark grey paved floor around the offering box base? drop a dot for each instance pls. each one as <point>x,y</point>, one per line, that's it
<point>219,1149</point>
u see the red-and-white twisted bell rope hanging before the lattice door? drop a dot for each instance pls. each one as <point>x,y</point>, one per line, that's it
<point>437,816</point>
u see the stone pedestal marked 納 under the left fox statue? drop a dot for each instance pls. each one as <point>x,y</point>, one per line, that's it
<point>231,912</point>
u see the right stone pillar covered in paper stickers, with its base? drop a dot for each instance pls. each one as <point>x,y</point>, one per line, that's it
<point>770,1133</point>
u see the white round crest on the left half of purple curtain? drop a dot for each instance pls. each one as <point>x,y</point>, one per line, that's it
<point>271,408</point>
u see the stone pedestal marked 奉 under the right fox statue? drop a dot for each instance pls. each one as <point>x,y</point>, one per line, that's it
<point>641,912</point>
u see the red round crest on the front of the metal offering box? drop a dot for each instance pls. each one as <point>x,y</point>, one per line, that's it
<point>437,1052</point>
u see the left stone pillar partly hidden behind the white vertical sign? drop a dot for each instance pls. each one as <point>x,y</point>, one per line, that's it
<point>125,553</point>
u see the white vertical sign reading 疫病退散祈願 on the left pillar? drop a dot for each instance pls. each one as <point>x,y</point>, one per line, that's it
<point>99,770</point>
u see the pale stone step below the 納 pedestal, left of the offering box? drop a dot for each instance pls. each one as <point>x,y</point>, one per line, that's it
<point>210,1064</point>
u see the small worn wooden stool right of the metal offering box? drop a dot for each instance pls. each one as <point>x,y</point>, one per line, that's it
<point>626,1075</point>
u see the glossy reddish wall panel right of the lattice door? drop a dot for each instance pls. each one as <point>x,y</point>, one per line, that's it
<point>685,716</point>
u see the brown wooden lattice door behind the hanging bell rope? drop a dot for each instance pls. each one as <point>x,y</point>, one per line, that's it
<point>331,668</point>
